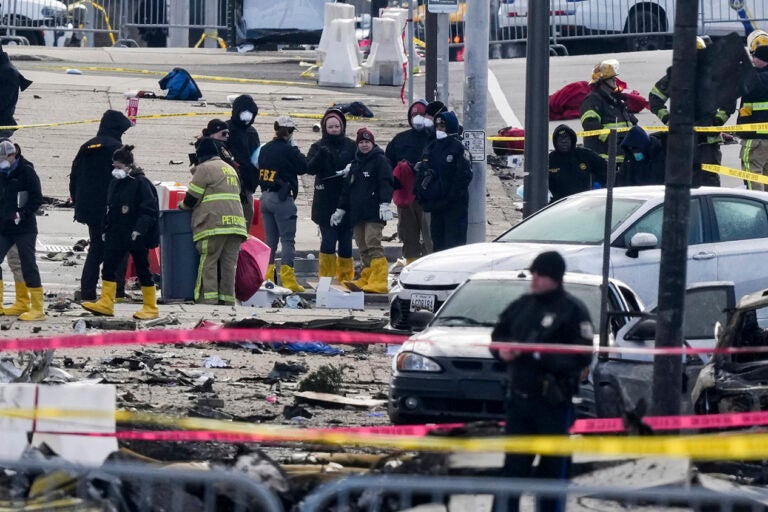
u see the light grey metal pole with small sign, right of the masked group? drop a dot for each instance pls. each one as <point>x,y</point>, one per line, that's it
<point>475,107</point>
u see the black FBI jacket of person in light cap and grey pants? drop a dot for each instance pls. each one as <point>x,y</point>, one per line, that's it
<point>280,165</point>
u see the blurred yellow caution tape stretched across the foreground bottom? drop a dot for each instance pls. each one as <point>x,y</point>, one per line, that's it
<point>752,446</point>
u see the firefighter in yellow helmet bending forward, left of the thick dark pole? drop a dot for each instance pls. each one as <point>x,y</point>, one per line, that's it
<point>605,107</point>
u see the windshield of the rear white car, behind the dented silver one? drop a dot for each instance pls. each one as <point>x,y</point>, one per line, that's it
<point>577,220</point>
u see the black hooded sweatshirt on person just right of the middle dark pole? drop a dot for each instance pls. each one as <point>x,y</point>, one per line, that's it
<point>576,170</point>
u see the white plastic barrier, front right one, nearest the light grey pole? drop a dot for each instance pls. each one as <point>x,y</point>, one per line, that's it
<point>384,65</point>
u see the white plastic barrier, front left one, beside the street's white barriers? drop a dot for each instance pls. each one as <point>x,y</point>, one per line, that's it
<point>341,67</point>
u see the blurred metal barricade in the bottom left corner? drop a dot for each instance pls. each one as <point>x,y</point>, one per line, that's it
<point>125,487</point>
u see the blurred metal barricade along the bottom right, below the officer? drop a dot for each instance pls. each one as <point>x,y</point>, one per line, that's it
<point>402,492</point>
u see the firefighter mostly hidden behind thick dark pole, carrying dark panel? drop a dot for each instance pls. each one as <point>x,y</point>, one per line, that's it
<point>707,150</point>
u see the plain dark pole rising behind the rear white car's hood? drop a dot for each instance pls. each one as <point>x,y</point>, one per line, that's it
<point>537,108</point>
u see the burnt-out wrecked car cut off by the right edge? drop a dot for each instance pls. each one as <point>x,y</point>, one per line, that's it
<point>737,382</point>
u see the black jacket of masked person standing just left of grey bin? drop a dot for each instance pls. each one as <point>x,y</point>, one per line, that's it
<point>131,206</point>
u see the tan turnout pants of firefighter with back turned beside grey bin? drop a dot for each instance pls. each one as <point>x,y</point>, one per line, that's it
<point>216,272</point>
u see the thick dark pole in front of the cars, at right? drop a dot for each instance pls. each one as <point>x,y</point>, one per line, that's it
<point>667,370</point>
